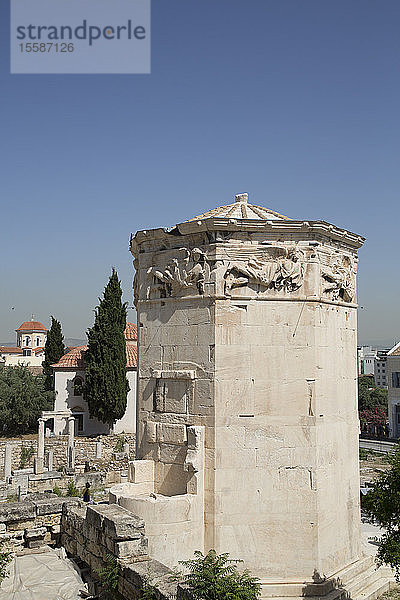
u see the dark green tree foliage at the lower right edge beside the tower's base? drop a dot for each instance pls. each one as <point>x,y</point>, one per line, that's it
<point>382,505</point>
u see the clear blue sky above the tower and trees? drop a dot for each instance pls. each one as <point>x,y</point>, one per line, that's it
<point>294,101</point>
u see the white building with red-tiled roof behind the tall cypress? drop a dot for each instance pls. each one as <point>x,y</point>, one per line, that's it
<point>69,376</point>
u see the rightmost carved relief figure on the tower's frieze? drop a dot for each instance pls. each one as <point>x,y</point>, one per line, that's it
<point>339,277</point>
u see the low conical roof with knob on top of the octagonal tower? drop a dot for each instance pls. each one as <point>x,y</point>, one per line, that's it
<point>241,209</point>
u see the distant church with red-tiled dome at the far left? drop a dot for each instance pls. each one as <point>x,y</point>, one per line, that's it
<point>29,351</point>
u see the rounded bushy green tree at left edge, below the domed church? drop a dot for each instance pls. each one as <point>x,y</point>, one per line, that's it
<point>22,399</point>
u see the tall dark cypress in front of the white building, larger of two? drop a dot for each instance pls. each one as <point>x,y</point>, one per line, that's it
<point>106,386</point>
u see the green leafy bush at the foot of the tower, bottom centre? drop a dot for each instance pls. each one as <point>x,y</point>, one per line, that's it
<point>216,577</point>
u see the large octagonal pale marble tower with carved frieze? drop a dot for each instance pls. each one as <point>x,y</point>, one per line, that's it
<point>247,328</point>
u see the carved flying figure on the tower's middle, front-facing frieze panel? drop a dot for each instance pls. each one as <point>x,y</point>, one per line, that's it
<point>279,268</point>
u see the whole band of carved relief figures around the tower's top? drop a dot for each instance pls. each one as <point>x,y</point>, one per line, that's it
<point>261,269</point>
